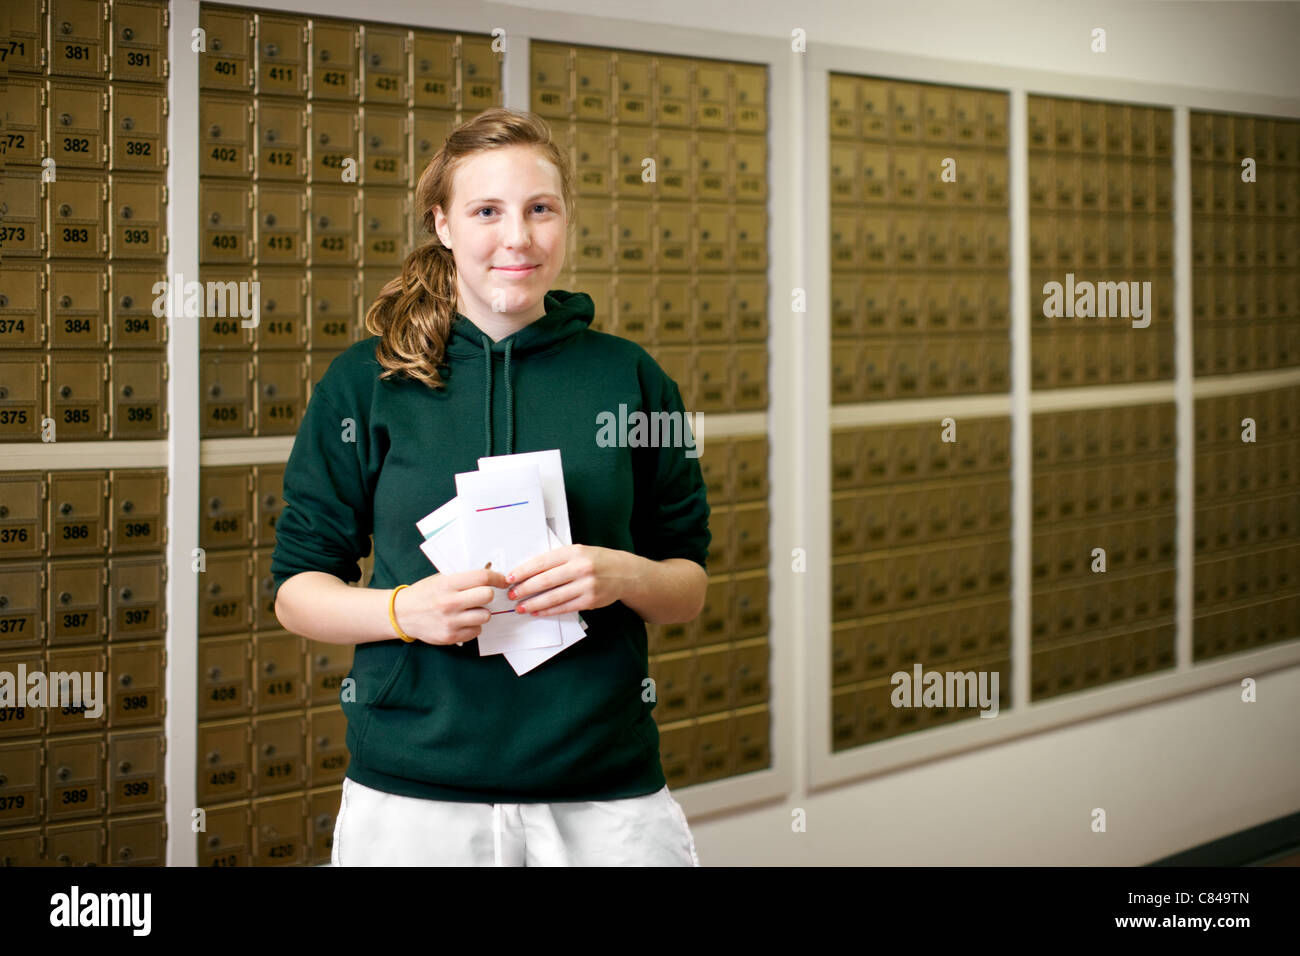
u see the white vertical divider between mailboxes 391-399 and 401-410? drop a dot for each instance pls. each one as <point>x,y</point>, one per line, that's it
<point>183,505</point>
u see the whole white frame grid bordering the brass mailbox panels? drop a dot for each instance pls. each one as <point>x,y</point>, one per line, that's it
<point>799,418</point>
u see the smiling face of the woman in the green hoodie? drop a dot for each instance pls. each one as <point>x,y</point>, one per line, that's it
<point>505,226</point>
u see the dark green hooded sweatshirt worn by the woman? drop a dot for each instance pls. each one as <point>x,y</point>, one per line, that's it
<point>376,456</point>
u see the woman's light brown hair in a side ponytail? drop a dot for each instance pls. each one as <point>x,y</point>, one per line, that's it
<point>414,313</point>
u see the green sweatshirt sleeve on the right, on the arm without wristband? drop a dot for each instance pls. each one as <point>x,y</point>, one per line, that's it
<point>671,512</point>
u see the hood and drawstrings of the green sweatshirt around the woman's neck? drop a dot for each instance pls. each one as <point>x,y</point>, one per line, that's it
<point>567,314</point>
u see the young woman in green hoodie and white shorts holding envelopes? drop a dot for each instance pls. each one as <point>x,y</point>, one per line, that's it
<point>454,758</point>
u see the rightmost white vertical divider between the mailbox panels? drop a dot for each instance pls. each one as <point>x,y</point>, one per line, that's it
<point>1185,409</point>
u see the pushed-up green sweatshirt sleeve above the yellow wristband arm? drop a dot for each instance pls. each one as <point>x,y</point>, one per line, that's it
<point>328,516</point>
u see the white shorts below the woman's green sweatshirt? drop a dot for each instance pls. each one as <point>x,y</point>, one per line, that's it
<point>378,829</point>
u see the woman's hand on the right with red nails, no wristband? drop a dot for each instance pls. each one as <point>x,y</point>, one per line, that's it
<point>575,578</point>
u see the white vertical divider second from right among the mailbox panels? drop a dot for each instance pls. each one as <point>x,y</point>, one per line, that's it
<point>1022,421</point>
